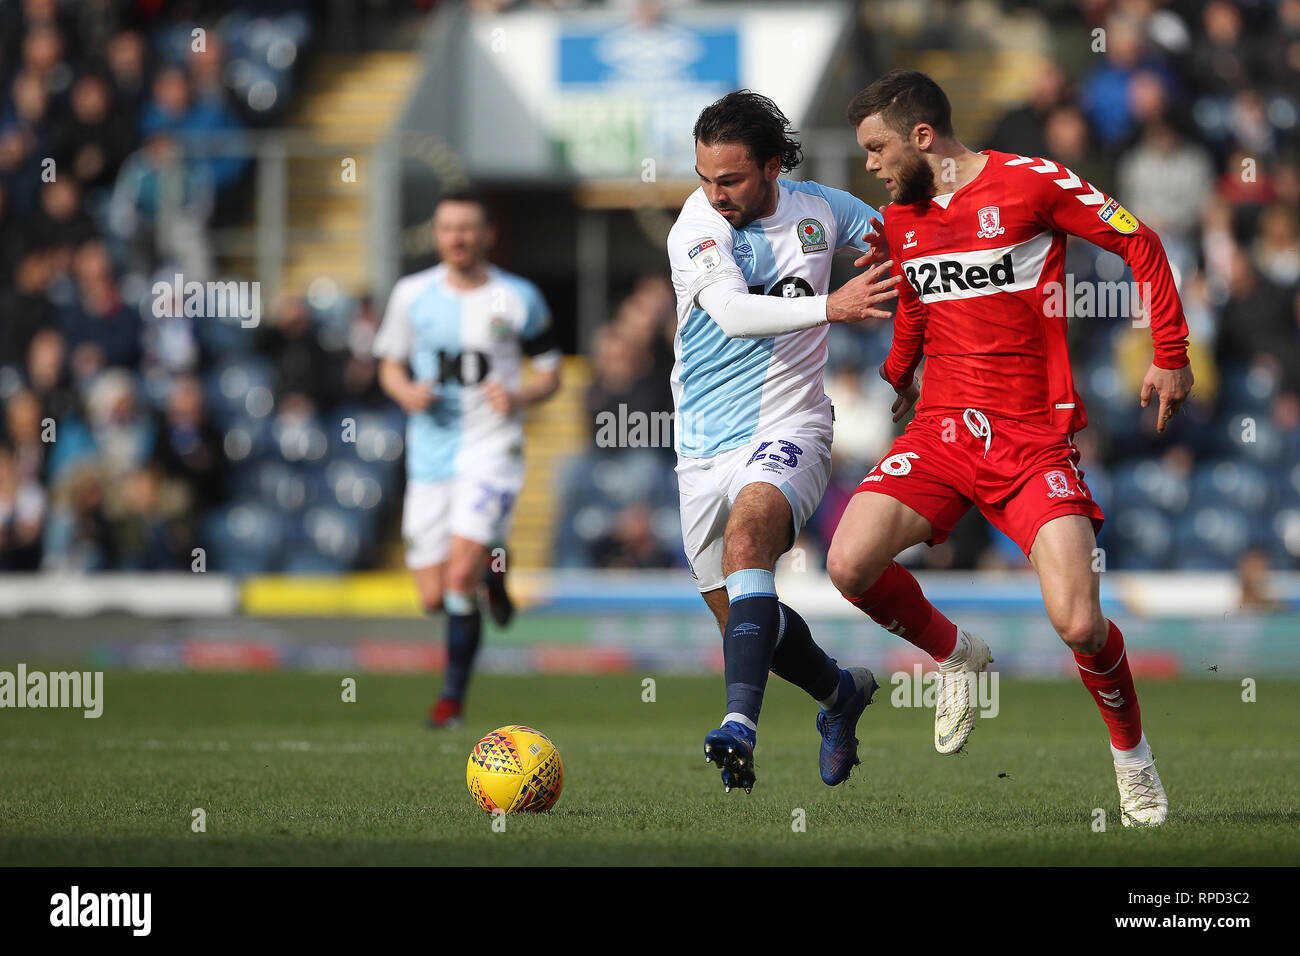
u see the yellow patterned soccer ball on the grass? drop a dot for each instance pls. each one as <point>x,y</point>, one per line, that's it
<point>515,769</point>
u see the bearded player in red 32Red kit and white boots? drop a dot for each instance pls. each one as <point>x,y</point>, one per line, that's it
<point>981,241</point>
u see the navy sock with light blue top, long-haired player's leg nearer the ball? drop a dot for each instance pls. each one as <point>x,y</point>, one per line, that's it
<point>749,642</point>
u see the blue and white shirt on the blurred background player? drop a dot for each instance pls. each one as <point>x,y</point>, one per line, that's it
<point>457,340</point>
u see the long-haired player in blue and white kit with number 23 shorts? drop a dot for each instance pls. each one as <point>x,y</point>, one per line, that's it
<point>751,258</point>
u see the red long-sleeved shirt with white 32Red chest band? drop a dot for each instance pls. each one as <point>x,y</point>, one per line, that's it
<point>985,296</point>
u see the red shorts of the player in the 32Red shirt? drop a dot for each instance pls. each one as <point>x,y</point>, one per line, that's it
<point>1019,475</point>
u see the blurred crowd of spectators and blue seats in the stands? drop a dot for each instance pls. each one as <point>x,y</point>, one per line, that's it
<point>171,432</point>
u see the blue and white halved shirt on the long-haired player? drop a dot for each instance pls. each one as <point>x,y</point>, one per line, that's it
<point>727,390</point>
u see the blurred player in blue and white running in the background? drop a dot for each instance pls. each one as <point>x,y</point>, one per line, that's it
<point>452,348</point>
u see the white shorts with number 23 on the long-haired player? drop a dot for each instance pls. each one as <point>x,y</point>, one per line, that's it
<point>795,460</point>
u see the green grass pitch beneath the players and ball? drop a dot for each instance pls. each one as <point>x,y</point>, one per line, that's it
<point>289,775</point>
